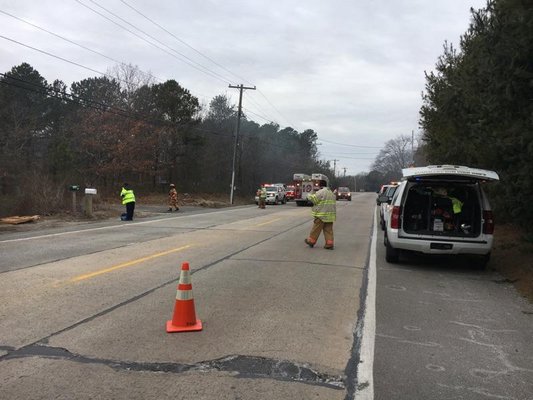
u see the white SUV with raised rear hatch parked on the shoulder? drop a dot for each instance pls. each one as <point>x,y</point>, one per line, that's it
<point>440,209</point>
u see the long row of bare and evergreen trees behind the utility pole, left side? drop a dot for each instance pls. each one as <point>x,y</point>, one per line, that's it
<point>103,131</point>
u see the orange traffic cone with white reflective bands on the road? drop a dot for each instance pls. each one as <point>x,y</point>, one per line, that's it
<point>184,318</point>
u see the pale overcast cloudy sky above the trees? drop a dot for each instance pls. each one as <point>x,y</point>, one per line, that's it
<point>352,70</point>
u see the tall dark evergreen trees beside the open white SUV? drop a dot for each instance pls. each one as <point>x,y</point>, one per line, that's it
<point>478,104</point>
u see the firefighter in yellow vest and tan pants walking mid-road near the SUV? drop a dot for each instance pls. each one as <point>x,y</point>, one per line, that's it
<point>324,213</point>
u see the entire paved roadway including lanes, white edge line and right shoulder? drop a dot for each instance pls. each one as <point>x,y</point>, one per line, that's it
<point>83,310</point>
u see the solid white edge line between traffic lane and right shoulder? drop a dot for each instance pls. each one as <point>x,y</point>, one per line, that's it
<point>365,374</point>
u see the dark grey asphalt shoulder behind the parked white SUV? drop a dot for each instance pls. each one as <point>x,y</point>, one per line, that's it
<point>446,330</point>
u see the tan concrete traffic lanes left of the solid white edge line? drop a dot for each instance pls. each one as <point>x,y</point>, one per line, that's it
<point>83,310</point>
